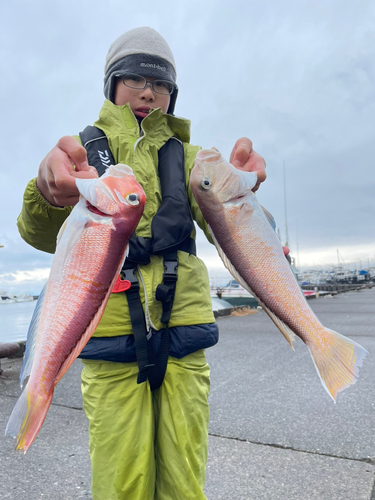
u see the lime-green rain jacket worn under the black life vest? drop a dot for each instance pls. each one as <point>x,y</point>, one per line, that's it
<point>39,222</point>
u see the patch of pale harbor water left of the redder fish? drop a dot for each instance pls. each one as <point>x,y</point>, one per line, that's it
<point>14,320</point>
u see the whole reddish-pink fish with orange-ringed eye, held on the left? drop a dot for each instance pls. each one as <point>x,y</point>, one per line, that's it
<point>91,248</point>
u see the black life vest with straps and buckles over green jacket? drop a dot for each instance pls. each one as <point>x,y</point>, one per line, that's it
<point>171,228</point>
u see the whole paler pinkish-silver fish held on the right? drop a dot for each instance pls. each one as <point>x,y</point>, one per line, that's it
<point>253,254</point>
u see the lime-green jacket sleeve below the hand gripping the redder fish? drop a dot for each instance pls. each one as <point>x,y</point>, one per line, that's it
<point>39,222</point>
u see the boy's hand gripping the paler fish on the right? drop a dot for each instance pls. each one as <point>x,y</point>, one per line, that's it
<point>244,157</point>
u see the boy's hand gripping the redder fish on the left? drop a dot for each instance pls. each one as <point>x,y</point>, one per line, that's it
<point>56,176</point>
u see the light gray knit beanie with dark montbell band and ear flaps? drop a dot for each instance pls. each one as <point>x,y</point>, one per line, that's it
<point>141,51</point>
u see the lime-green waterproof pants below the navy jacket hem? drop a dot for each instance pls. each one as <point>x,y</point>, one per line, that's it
<point>147,445</point>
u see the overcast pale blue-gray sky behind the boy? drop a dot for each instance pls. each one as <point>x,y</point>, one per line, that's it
<point>297,77</point>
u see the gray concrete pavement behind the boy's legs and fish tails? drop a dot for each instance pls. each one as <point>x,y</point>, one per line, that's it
<point>274,431</point>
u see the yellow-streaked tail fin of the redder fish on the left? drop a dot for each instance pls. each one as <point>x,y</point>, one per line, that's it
<point>27,418</point>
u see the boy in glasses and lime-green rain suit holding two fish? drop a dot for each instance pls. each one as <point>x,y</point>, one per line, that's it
<point>148,440</point>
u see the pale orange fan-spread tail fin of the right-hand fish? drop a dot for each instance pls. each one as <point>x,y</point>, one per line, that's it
<point>337,360</point>
